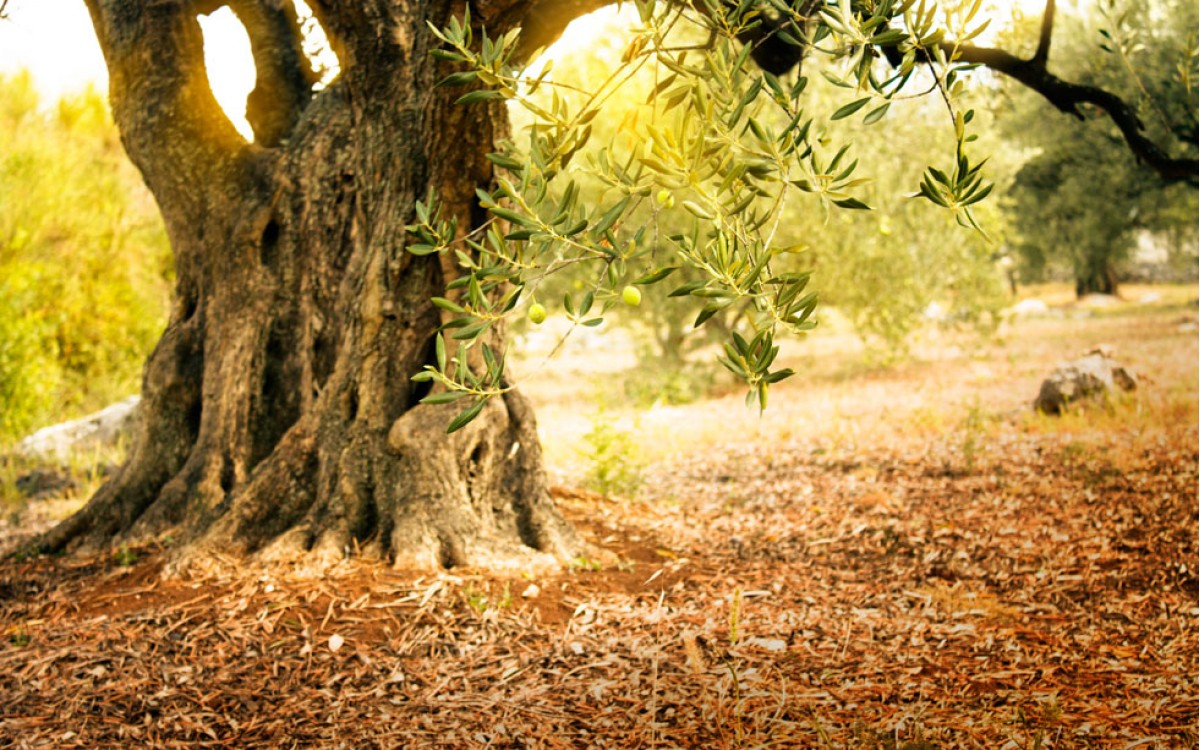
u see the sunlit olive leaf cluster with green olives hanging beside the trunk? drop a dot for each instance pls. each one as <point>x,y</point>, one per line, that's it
<point>719,147</point>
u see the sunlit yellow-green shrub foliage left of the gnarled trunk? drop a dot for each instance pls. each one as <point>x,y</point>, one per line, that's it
<point>85,262</point>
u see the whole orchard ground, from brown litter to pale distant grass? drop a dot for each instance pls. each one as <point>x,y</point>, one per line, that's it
<point>901,557</point>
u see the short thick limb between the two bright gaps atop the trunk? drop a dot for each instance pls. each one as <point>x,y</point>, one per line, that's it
<point>285,77</point>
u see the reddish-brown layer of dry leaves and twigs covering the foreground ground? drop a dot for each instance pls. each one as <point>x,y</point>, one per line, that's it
<point>892,604</point>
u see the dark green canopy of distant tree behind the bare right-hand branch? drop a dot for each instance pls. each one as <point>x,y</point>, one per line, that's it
<point>1084,199</point>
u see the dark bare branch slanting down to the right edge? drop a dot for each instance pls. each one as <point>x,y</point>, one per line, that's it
<point>1069,97</point>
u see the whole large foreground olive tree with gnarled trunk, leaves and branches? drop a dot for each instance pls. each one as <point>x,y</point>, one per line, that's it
<point>343,280</point>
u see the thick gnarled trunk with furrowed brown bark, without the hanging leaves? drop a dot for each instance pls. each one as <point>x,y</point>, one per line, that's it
<point>279,416</point>
